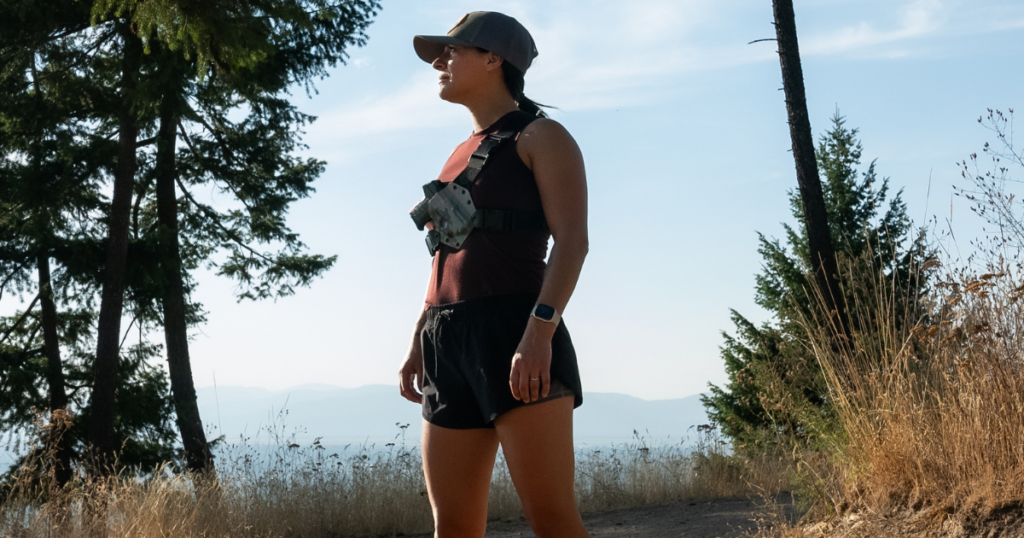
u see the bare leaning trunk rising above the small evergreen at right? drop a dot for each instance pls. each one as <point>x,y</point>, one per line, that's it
<point>816,215</point>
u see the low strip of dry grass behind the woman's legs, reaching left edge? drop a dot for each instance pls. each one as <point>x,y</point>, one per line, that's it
<point>310,492</point>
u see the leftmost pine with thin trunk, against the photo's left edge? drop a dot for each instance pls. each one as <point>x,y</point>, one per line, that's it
<point>41,183</point>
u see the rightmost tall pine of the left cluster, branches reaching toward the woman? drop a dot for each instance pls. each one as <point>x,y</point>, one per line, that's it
<point>252,159</point>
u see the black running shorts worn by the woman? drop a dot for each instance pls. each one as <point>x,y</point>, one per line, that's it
<point>467,356</point>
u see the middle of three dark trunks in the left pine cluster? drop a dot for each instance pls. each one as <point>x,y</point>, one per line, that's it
<point>112,302</point>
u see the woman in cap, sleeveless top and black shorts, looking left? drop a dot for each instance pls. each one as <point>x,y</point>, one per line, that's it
<point>492,361</point>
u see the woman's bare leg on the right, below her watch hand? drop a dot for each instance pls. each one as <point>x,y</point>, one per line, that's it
<point>537,442</point>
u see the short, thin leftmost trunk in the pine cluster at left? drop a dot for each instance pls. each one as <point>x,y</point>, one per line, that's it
<point>60,436</point>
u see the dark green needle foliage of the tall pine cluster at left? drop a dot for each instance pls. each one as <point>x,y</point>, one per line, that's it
<point>225,70</point>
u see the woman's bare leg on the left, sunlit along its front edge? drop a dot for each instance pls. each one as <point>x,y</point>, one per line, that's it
<point>458,465</point>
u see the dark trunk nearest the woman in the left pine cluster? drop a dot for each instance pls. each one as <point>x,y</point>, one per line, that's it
<point>176,329</point>
